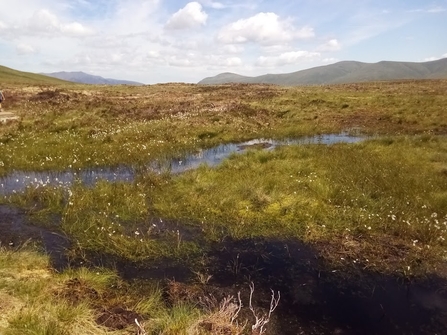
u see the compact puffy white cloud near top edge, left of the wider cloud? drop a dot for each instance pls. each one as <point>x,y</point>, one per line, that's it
<point>190,16</point>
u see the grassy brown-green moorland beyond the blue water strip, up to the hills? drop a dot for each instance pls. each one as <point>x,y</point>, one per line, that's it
<point>86,126</point>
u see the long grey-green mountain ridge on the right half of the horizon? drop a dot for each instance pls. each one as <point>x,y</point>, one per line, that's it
<point>343,72</point>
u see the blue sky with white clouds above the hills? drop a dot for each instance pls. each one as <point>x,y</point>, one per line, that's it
<point>159,41</point>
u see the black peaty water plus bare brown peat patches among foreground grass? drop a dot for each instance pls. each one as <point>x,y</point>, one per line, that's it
<point>317,297</point>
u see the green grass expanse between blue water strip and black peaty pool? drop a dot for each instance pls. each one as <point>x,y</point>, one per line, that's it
<point>389,193</point>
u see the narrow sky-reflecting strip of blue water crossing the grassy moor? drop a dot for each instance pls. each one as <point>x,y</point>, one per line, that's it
<point>18,181</point>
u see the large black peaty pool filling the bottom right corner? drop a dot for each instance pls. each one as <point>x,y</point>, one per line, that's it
<point>319,299</point>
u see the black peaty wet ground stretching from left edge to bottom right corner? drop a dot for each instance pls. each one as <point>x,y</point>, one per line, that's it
<point>315,298</point>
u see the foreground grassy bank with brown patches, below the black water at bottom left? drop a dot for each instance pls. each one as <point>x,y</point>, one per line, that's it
<point>70,302</point>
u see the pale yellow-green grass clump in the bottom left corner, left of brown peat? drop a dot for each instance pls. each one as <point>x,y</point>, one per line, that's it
<point>28,288</point>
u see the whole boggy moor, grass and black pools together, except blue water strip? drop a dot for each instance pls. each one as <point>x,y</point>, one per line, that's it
<point>353,236</point>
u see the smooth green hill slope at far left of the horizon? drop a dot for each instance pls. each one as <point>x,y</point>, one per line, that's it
<point>10,76</point>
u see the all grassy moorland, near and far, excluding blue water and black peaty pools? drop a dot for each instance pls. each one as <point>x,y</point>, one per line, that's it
<point>380,203</point>
